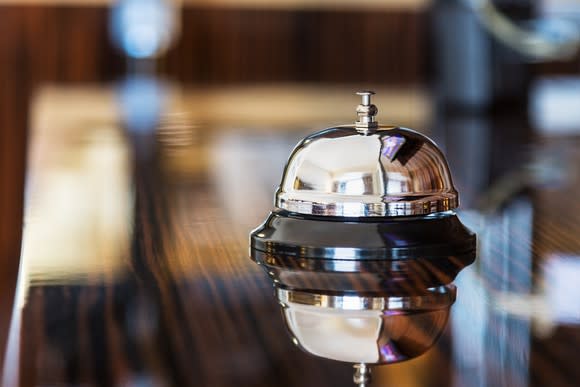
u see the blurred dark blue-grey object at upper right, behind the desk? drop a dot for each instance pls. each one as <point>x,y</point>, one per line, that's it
<point>475,72</point>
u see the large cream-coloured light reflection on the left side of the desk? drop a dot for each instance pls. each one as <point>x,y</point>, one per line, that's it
<point>78,199</point>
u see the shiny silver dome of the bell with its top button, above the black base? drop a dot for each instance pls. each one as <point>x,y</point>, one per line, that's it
<point>366,170</point>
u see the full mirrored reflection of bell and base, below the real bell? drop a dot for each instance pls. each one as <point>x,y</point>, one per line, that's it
<point>361,312</point>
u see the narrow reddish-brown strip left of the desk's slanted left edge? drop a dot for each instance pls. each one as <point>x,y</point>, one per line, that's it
<point>13,122</point>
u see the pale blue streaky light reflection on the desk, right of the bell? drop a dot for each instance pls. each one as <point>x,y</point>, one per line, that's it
<point>491,347</point>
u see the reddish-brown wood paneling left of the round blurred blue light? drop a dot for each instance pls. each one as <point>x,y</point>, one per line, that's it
<point>63,44</point>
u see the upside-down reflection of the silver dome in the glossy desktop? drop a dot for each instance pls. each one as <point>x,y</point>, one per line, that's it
<point>369,330</point>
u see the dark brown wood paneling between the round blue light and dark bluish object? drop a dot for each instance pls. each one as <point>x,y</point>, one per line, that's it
<point>252,45</point>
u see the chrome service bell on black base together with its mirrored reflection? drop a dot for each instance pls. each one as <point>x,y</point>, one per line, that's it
<point>364,229</point>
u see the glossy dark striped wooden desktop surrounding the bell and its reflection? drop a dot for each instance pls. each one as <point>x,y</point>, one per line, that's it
<point>135,268</point>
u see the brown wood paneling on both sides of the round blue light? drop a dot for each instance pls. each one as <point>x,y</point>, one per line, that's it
<point>72,44</point>
